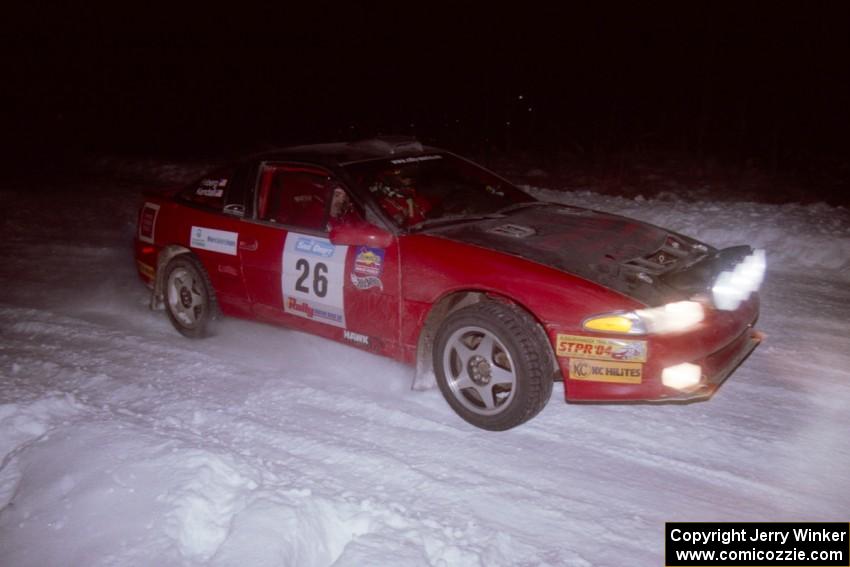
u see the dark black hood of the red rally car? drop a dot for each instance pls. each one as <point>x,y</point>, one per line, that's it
<point>642,261</point>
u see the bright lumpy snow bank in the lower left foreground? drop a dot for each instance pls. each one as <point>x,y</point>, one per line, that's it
<point>126,494</point>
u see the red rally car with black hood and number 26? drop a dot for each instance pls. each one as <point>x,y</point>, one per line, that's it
<point>414,253</point>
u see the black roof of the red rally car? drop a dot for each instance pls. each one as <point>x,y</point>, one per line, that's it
<point>344,153</point>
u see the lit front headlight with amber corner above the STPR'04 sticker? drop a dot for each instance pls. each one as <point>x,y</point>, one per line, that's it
<point>670,318</point>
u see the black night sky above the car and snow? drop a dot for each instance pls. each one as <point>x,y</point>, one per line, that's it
<point>711,78</point>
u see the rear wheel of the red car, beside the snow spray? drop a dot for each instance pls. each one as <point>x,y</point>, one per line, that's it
<point>189,298</point>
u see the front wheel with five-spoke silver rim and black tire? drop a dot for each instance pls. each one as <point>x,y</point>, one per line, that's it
<point>493,365</point>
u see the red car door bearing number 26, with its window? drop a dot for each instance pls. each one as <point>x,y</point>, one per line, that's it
<point>295,274</point>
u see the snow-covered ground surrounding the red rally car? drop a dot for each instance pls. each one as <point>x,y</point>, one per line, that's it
<point>123,443</point>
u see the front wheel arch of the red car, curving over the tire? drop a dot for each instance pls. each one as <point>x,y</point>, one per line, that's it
<point>442,308</point>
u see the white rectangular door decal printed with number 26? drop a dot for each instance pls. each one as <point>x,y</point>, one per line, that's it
<point>312,280</point>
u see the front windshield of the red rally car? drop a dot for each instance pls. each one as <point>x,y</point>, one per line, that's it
<point>427,190</point>
